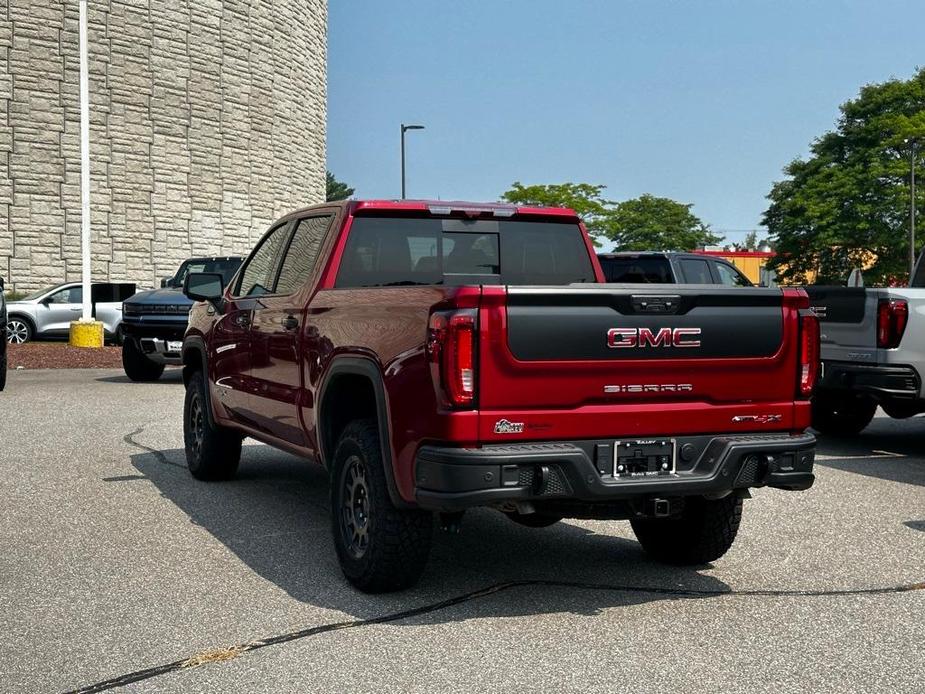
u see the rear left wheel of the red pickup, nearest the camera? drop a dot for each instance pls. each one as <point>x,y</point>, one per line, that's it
<point>381,548</point>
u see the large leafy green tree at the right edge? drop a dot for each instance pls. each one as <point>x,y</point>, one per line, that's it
<point>847,204</point>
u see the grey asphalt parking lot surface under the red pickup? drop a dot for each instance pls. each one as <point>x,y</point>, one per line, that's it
<point>115,561</point>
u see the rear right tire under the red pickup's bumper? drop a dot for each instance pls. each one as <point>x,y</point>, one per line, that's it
<point>703,532</point>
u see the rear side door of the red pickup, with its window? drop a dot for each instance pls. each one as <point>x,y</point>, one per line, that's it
<point>279,324</point>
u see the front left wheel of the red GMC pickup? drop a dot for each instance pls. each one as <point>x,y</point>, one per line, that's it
<point>212,452</point>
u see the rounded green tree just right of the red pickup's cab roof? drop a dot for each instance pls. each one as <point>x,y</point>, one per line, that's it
<point>649,223</point>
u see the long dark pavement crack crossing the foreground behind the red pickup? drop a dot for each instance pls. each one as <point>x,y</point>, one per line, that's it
<point>232,652</point>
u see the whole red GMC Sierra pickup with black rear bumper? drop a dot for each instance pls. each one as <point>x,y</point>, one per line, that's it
<point>438,356</point>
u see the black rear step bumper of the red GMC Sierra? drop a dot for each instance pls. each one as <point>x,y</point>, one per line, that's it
<point>452,479</point>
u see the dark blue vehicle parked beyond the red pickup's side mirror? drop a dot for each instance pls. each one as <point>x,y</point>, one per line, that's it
<point>153,321</point>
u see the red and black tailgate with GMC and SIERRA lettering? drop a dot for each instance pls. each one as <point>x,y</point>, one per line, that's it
<point>619,360</point>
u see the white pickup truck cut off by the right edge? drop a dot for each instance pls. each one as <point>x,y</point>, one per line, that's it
<point>873,353</point>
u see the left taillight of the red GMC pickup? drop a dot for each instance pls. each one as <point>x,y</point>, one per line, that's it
<point>452,353</point>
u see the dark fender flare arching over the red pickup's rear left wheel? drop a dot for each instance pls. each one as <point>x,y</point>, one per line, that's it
<point>366,367</point>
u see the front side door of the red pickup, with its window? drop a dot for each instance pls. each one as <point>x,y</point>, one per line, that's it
<point>231,343</point>
